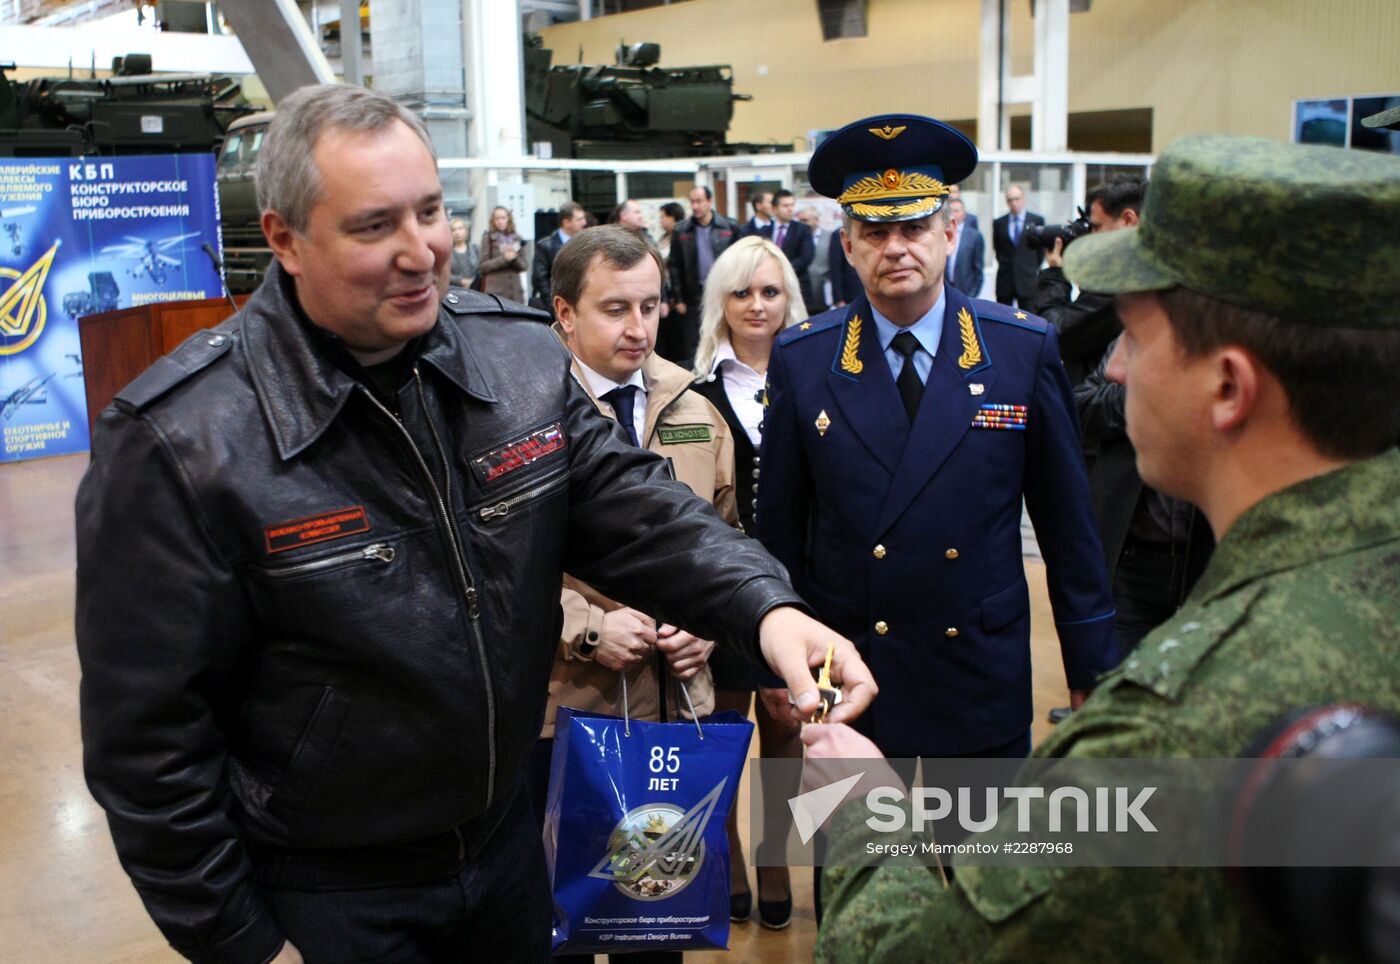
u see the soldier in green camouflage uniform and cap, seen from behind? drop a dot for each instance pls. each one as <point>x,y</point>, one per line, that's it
<point>1262,339</point>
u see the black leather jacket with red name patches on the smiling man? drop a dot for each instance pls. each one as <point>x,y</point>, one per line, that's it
<point>309,623</point>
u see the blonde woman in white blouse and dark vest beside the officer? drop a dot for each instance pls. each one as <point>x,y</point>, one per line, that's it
<point>751,296</point>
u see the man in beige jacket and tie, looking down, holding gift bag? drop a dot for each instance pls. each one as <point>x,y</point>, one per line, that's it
<point>607,293</point>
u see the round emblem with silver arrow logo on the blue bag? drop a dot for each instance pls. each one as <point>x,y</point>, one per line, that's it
<point>657,850</point>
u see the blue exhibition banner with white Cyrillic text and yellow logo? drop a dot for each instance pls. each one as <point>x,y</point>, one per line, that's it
<point>79,237</point>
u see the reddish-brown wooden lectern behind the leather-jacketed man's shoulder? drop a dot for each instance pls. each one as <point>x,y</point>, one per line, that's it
<point>121,345</point>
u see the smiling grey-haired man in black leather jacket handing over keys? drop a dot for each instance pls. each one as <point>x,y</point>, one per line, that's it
<point>320,559</point>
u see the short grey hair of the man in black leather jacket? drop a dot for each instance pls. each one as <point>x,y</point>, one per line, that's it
<point>289,181</point>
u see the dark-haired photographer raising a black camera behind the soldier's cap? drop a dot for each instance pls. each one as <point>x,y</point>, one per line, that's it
<point>1087,324</point>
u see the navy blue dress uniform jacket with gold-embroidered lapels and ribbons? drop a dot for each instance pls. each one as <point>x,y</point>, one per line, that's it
<point>906,538</point>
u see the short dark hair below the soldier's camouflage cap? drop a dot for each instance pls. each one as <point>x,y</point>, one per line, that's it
<point>1312,363</point>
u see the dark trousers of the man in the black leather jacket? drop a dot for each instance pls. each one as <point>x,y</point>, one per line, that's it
<point>337,907</point>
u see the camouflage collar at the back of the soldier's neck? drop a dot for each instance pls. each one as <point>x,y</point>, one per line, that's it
<point>1340,513</point>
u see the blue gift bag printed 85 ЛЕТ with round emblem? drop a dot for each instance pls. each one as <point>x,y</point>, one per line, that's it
<point>635,832</point>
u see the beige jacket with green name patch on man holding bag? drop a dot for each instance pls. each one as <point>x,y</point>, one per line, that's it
<point>687,430</point>
